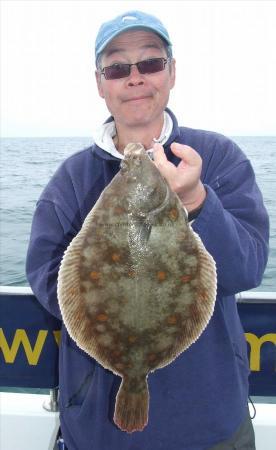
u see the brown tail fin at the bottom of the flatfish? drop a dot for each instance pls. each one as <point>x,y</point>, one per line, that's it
<point>131,409</point>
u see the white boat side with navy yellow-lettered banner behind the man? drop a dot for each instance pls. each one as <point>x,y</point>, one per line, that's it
<point>29,341</point>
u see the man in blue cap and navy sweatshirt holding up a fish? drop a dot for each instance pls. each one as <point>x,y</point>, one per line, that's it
<point>199,401</point>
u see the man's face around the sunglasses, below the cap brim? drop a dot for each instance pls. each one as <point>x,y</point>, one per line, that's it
<point>137,100</point>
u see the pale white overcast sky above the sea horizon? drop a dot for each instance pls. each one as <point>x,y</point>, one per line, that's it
<point>225,64</point>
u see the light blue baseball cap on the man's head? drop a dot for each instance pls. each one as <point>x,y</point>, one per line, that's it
<point>130,20</point>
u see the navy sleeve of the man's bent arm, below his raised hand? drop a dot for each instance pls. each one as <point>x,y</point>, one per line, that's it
<point>234,228</point>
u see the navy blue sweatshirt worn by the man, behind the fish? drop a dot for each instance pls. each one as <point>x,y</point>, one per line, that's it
<point>200,399</point>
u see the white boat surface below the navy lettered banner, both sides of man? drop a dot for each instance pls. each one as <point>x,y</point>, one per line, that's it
<point>25,423</point>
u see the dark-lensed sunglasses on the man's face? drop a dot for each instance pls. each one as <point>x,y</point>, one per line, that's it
<point>123,70</point>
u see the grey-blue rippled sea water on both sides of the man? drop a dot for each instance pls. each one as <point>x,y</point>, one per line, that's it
<point>27,164</point>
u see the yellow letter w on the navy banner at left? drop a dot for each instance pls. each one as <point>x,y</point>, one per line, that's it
<point>20,337</point>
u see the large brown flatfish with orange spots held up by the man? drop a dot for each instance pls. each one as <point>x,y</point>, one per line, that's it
<point>136,286</point>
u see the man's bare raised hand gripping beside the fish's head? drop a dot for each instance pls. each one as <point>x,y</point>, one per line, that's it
<point>183,179</point>
